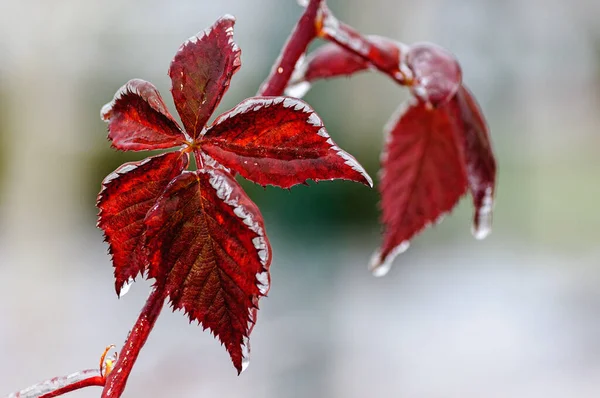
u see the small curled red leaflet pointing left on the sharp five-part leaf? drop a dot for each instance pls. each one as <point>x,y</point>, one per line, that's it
<point>138,119</point>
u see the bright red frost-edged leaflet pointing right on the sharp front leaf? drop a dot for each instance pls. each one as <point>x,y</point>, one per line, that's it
<point>279,141</point>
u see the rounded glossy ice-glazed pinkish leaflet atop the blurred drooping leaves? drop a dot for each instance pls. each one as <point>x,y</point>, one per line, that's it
<point>436,73</point>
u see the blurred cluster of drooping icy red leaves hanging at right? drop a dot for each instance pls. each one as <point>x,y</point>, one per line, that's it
<point>435,148</point>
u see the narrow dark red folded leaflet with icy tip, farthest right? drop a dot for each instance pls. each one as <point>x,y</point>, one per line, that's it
<point>481,164</point>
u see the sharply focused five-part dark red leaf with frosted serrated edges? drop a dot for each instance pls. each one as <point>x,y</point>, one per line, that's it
<point>197,233</point>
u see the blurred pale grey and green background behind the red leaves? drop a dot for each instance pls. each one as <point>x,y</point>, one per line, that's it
<point>516,315</point>
